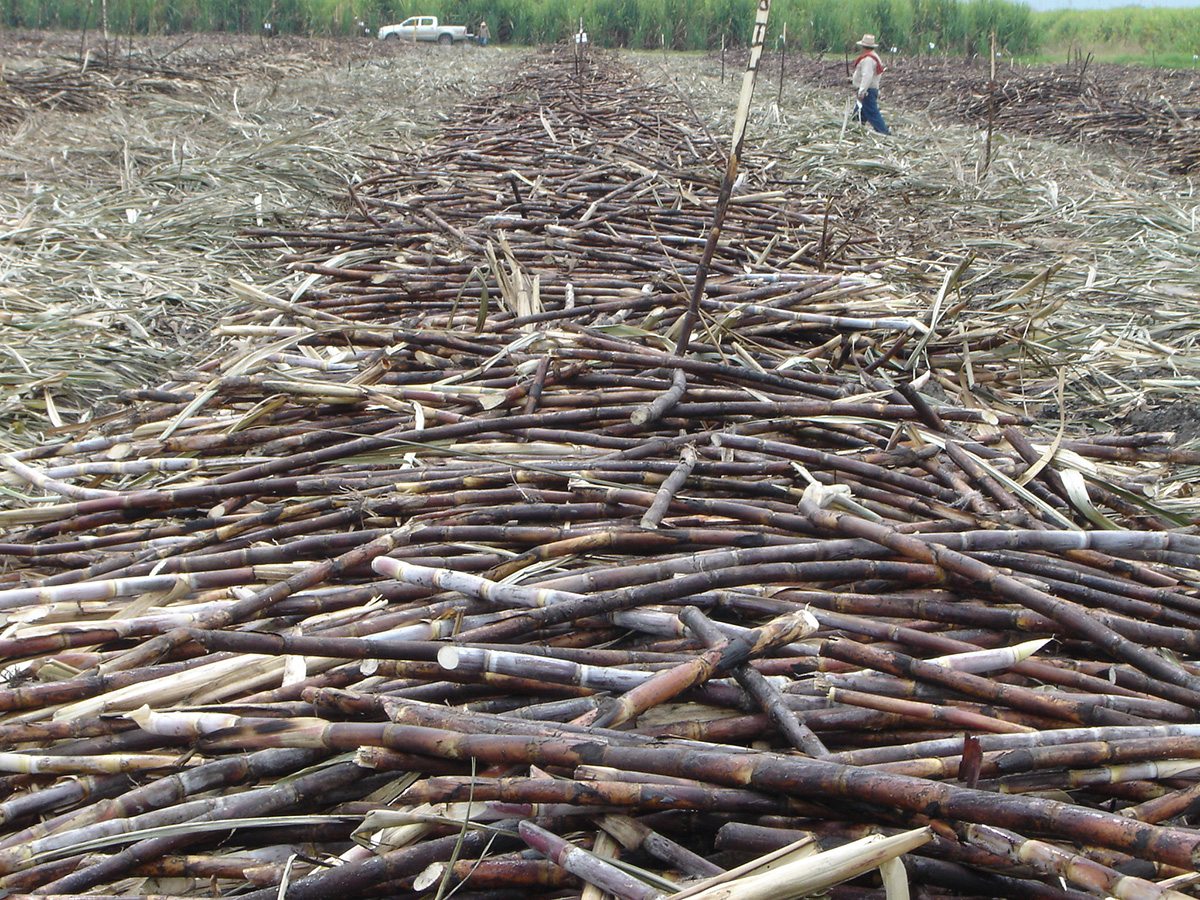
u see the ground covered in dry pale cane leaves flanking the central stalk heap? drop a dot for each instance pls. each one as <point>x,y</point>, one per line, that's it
<point>122,225</point>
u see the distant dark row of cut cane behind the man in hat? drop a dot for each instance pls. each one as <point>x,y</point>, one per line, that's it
<point>1078,101</point>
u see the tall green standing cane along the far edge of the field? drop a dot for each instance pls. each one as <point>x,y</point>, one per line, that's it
<point>921,27</point>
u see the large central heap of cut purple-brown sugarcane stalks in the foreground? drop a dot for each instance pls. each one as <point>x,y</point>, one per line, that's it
<point>457,575</point>
